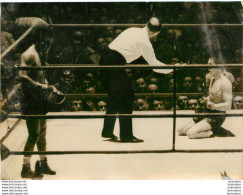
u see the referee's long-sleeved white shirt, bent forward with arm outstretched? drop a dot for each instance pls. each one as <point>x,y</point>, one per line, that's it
<point>133,43</point>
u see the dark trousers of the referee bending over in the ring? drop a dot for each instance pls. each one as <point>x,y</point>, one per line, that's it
<point>120,94</point>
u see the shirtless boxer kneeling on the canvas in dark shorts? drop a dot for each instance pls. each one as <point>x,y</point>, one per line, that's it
<point>218,101</point>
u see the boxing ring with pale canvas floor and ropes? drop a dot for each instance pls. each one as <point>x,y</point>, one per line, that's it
<point>157,128</point>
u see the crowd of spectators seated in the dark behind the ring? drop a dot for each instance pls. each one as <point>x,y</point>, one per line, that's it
<point>191,45</point>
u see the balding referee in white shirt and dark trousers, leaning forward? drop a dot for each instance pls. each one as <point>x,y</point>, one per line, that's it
<point>130,45</point>
